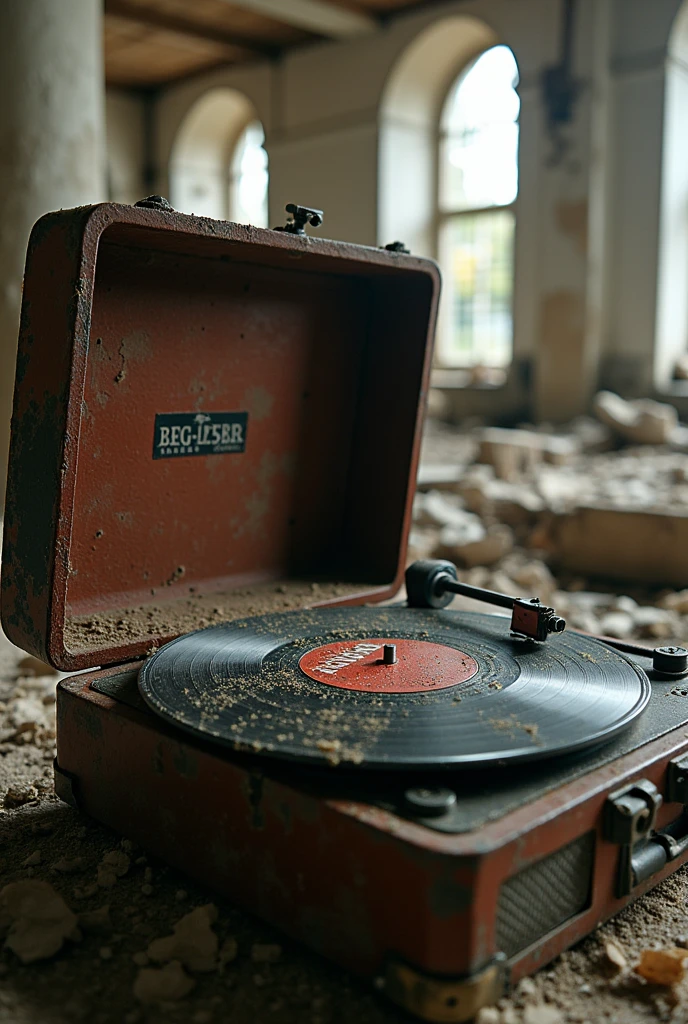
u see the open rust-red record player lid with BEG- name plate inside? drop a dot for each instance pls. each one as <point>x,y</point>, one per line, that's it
<point>203,407</point>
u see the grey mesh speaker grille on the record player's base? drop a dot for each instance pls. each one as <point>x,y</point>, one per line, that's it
<point>544,895</point>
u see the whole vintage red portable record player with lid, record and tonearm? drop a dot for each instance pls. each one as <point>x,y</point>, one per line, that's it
<point>216,441</point>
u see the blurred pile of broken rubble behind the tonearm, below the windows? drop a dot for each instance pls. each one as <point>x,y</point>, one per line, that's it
<point>497,511</point>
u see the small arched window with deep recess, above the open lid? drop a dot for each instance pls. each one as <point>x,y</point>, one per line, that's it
<point>219,166</point>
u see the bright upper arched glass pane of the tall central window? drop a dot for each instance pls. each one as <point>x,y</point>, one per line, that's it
<point>480,152</point>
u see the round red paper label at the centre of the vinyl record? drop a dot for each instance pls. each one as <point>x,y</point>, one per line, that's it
<point>389,666</point>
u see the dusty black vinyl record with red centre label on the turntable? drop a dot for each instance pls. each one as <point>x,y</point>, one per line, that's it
<point>317,687</point>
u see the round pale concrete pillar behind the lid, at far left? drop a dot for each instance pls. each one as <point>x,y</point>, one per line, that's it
<point>52,142</point>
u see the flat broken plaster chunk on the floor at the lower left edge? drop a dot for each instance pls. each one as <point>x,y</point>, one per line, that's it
<point>35,920</point>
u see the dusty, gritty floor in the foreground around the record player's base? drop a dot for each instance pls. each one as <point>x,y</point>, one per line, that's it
<point>93,979</point>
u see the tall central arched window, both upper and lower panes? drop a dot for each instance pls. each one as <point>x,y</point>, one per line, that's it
<point>479,184</point>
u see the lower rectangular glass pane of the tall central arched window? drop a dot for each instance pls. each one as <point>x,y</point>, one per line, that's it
<point>478,263</point>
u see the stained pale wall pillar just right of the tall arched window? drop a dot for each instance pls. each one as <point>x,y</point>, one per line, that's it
<point>573,233</point>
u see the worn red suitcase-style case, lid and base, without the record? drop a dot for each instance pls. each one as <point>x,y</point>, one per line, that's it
<point>212,421</point>
